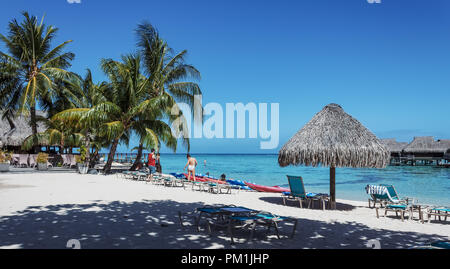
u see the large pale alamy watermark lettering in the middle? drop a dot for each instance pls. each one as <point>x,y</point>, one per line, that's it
<point>213,121</point>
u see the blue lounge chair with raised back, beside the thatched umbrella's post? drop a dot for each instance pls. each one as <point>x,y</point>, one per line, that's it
<point>299,194</point>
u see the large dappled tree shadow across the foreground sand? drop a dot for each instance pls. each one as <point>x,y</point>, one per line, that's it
<point>155,224</point>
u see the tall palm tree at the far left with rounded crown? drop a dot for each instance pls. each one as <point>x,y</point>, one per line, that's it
<point>35,63</point>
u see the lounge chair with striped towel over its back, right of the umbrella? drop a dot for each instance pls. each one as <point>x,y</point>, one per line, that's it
<point>384,194</point>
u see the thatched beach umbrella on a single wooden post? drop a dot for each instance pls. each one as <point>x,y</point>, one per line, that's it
<point>335,139</point>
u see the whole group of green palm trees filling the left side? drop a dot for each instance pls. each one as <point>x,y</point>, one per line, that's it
<point>142,90</point>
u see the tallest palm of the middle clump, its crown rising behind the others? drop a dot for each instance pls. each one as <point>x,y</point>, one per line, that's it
<point>169,77</point>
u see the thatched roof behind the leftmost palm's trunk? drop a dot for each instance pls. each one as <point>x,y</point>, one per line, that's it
<point>21,130</point>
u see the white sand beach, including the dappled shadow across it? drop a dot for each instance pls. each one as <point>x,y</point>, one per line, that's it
<point>45,210</point>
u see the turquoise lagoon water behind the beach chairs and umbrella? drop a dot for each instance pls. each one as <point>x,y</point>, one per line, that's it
<point>428,184</point>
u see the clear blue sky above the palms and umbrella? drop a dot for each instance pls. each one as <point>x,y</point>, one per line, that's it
<point>386,64</point>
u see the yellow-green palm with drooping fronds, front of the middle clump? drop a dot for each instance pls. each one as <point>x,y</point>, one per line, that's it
<point>123,108</point>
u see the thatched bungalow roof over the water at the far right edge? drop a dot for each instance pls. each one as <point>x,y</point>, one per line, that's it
<point>427,144</point>
